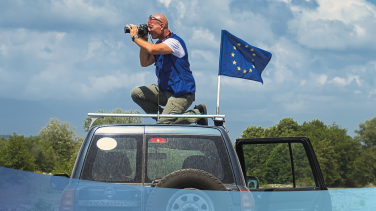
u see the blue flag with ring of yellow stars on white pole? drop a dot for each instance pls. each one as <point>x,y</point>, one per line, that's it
<point>241,60</point>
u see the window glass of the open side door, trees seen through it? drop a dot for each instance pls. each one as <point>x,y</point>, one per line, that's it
<point>271,165</point>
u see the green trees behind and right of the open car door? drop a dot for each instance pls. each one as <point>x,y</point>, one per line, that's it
<point>344,160</point>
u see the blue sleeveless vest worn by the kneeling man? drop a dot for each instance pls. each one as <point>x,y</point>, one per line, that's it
<point>174,74</point>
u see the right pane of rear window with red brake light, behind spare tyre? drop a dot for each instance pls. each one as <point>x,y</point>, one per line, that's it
<point>169,153</point>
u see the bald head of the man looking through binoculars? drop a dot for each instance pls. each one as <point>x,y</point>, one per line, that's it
<point>158,26</point>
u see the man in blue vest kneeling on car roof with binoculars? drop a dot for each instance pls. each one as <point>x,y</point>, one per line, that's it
<point>176,86</point>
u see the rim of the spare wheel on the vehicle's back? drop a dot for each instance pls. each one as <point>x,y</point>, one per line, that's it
<point>190,200</point>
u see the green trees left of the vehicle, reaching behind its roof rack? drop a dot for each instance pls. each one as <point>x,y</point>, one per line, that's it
<point>54,149</point>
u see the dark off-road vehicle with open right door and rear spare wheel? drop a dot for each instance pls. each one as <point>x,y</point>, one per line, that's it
<point>191,168</point>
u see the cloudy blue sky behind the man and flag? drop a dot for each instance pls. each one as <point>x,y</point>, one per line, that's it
<point>67,58</point>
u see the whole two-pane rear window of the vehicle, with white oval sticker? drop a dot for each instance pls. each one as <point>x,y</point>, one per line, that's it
<point>118,158</point>
